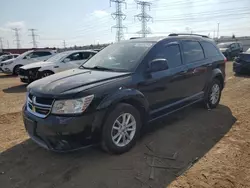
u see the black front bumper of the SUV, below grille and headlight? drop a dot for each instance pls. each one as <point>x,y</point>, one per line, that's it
<point>64,134</point>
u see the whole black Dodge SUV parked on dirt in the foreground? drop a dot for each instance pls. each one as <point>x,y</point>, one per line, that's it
<point>122,88</point>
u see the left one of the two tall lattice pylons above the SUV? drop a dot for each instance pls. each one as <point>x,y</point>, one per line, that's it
<point>119,16</point>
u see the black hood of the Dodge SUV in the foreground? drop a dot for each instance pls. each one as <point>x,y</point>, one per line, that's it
<point>63,82</point>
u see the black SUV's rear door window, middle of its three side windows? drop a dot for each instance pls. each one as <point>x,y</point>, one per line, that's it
<point>192,51</point>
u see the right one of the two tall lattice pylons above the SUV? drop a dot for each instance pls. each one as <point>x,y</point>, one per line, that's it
<point>143,17</point>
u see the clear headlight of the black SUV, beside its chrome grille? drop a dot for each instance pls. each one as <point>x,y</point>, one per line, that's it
<point>72,106</point>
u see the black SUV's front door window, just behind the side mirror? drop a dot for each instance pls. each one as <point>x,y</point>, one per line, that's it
<point>172,54</point>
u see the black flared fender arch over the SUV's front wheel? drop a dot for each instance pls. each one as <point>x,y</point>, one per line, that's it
<point>124,95</point>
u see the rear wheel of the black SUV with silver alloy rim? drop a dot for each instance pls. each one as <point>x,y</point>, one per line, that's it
<point>213,101</point>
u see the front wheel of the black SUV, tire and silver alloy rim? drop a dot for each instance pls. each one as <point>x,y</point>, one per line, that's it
<point>111,129</point>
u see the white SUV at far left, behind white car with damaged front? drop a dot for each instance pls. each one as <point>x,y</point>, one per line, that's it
<point>12,66</point>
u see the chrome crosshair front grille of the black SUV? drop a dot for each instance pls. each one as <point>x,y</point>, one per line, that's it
<point>39,106</point>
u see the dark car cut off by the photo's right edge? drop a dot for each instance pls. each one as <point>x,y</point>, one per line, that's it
<point>241,63</point>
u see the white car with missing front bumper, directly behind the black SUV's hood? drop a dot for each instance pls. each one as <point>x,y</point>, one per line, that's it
<point>58,63</point>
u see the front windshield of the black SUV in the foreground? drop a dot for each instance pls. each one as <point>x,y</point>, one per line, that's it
<point>119,56</point>
